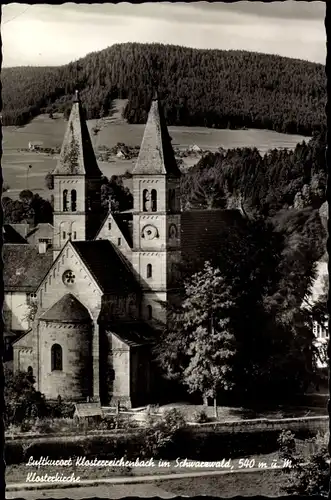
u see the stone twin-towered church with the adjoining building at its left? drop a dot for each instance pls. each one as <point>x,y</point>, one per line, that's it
<point>99,292</point>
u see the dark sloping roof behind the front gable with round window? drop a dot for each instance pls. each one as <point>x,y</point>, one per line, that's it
<point>106,265</point>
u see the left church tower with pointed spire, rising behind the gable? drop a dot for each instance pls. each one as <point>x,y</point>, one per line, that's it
<point>77,184</point>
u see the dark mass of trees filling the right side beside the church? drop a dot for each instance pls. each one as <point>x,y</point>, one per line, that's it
<point>244,328</point>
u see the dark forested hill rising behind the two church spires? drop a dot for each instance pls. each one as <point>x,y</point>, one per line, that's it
<point>211,88</point>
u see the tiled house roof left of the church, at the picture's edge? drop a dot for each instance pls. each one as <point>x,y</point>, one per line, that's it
<point>24,267</point>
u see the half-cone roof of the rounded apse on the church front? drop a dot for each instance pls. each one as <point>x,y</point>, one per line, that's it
<point>67,310</point>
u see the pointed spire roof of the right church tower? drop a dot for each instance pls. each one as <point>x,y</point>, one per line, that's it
<point>156,155</point>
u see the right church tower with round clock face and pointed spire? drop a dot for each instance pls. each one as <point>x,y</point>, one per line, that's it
<point>156,217</point>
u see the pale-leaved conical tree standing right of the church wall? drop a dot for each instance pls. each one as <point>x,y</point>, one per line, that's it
<point>200,336</point>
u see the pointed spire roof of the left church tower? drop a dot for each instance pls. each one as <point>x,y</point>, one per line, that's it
<point>77,155</point>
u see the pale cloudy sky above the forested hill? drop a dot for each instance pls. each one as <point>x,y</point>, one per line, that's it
<point>51,35</point>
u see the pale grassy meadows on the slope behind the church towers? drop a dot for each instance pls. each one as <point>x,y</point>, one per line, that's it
<point>112,131</point>
